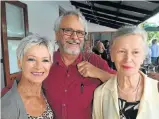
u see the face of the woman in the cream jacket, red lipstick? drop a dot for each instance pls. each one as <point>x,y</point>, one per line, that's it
<point>127,52</point>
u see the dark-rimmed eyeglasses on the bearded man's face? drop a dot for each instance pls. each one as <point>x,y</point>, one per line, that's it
<point>69,32</point>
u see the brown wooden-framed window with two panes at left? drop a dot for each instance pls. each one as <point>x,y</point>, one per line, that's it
<point>14,25</point>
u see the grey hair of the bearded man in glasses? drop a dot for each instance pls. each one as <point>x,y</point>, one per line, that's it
<point>67,13</point>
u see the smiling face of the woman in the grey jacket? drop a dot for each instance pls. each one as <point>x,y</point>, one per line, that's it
<point>36,64</point>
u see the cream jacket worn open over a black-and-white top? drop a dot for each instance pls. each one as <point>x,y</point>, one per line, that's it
<point>105,105</point>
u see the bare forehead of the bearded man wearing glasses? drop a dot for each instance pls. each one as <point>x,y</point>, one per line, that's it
<point>72,21</point>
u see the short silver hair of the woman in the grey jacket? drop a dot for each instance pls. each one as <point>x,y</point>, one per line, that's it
<point>30,41</point>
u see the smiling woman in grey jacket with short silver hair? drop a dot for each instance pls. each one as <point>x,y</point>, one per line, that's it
<point>26,100</point>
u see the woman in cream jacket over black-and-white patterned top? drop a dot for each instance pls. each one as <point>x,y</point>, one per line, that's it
<point>130,94</point>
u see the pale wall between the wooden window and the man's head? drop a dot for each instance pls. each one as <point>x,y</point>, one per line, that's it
<point>41,16</point>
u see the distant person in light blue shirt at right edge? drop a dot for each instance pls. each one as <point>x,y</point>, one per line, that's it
<point>155,52</point>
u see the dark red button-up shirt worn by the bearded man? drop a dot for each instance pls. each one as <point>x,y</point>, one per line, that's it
<point>69,94</point>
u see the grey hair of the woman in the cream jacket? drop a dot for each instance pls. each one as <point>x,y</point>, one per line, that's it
<point>131,30</point>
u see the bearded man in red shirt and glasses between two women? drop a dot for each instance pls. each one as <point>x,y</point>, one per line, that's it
<point>74,75</point>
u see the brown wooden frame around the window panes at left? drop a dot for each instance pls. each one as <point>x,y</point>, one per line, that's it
<point>9,78</point>
